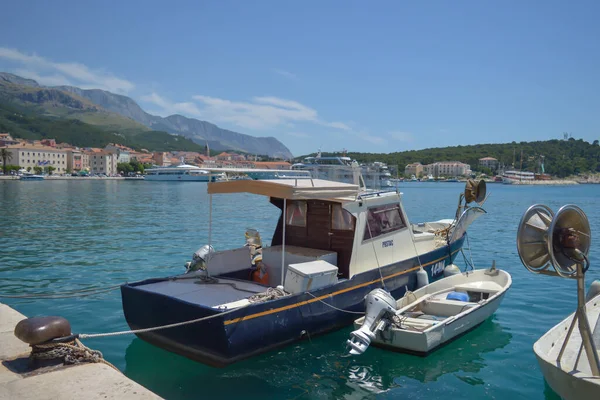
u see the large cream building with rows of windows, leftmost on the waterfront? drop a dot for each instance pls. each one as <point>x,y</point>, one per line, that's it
<point>29,156</point>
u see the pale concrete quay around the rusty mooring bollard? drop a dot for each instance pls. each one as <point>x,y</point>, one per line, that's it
<point>81,381</point>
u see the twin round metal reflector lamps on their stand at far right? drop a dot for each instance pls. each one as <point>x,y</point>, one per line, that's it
<point>563,241</point>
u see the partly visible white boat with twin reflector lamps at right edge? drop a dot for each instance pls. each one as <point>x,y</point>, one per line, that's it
<point>567,353</point>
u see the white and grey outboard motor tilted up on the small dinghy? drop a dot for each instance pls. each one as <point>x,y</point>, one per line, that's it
<point>379,303</point>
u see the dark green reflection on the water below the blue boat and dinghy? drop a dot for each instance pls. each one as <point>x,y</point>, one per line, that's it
<point>316,369</point>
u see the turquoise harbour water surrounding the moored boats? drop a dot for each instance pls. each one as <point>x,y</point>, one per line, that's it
<point>66,235</point>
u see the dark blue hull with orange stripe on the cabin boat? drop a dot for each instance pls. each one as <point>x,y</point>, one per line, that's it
<point>264,326</point>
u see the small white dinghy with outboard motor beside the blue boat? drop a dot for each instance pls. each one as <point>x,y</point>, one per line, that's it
<point>424,319</point>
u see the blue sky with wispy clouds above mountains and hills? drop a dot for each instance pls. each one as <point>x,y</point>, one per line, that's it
<point>379,76</point>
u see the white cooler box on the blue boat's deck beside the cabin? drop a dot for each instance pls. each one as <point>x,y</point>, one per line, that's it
<point>309,276</point>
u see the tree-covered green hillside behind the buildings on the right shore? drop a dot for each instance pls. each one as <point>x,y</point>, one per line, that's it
<point>561,157</point>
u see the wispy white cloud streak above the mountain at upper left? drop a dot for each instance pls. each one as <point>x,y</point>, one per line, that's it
<point>48,72</point>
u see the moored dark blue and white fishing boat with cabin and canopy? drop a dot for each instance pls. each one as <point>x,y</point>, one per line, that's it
<point>333,244</point>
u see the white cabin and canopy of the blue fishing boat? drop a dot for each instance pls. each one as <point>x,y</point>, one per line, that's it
<point>328,221</point>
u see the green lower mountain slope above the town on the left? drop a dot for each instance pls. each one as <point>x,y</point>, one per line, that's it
<point>23,122</point>
